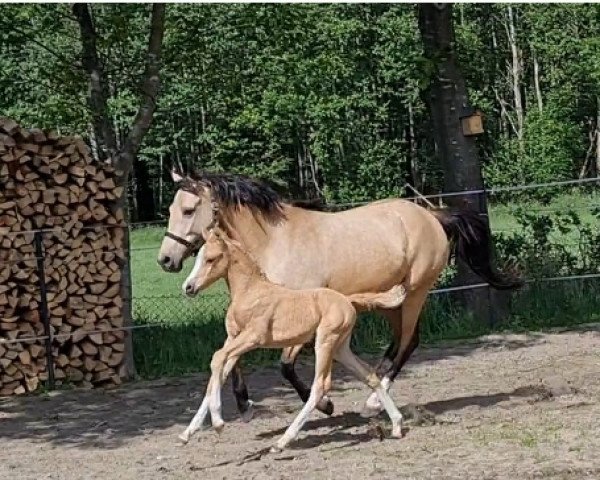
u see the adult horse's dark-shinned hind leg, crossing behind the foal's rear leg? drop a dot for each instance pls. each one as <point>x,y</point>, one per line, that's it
<point>406,337</point>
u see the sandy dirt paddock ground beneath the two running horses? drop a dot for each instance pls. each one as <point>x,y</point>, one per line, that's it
<point>504,406</point>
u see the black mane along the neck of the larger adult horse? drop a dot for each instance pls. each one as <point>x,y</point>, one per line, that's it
<point>235,190</point>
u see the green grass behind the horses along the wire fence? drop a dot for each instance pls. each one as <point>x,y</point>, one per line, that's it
<point>188,331</point>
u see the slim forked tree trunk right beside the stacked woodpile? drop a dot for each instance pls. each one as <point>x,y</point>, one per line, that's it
<point>123,156</point>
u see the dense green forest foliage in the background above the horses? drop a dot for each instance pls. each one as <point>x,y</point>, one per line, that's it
<point>325,99</point>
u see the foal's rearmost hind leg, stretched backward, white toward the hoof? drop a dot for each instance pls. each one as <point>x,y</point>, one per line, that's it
<point>345,356</point>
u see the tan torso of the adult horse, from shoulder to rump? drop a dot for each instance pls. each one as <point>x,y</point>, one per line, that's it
<point>369,248</point>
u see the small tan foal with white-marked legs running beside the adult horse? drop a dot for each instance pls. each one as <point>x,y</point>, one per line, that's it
<point>263,314</point>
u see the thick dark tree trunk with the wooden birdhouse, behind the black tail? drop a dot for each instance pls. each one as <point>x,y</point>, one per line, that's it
<point>447,100</point>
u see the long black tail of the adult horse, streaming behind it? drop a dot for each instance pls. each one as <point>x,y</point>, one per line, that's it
<point>470,241</point>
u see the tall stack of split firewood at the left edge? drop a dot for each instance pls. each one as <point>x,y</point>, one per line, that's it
<point>51,183</point>
